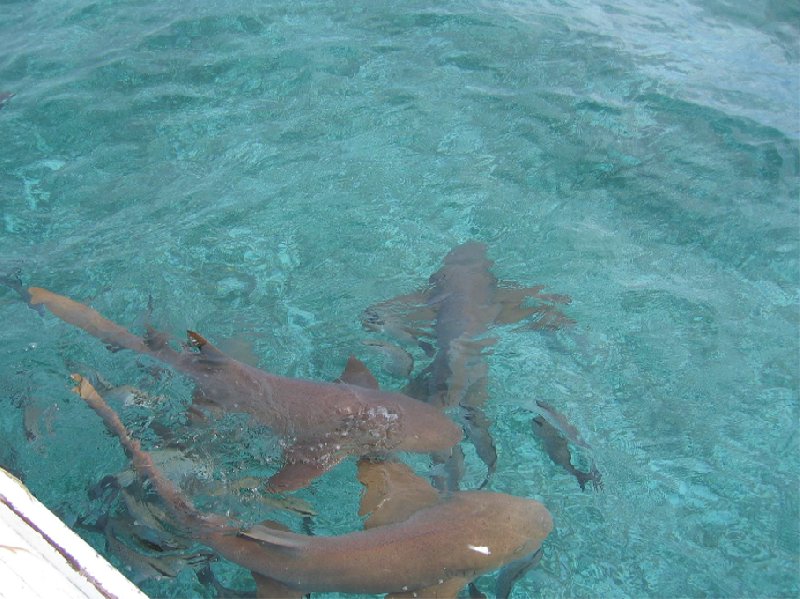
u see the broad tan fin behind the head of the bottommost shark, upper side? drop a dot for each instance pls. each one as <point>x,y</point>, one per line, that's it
<point>392,492</point>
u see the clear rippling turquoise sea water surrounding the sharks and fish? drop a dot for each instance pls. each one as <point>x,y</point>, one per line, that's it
<point>266,171</point>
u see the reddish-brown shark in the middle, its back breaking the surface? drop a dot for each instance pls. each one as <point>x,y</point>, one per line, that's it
<point>320,423</point>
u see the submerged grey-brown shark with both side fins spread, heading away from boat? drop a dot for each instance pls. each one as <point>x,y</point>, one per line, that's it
<point>463,301</point>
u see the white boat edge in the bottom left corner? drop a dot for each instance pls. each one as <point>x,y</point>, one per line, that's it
<point>41,557</point>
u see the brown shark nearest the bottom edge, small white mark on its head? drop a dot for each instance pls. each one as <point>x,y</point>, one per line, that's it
<point>422,545</point>
